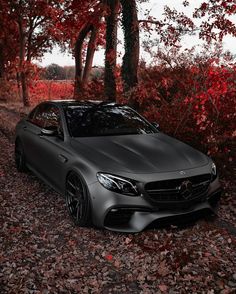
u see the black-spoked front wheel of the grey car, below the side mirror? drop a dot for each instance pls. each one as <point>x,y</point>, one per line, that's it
<point>77,200</point>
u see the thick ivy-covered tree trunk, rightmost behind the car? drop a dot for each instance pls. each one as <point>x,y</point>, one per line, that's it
<point>131,36</point>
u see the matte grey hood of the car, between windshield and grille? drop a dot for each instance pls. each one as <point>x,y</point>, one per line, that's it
<point>149,153</point>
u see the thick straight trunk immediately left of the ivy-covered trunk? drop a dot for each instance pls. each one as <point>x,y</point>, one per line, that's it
<point>111,49</point>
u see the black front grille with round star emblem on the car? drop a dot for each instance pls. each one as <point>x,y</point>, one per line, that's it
<point>185,190</point>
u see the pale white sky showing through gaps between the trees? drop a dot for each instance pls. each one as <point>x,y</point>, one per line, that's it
<point>156,9</point>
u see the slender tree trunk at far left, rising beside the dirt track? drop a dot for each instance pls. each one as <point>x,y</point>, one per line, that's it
<point>23,77</point>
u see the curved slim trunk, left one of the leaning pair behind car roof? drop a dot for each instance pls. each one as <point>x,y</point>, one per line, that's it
<point>78,59</point>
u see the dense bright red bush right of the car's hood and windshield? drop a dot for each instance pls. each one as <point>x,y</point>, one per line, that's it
<point>198,106</point>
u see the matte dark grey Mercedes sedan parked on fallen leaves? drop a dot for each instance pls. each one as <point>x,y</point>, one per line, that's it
<point>115,169</point>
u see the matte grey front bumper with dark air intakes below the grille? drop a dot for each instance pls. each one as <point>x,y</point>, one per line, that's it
<point>132,214</point>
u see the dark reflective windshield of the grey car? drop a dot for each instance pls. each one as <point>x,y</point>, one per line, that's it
<point>87,121</point>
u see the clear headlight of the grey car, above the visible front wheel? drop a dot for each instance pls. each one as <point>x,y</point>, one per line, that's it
<point>118,184</point>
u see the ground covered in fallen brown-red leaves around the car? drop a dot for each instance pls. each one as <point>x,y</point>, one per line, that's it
<point>41,251</point>
